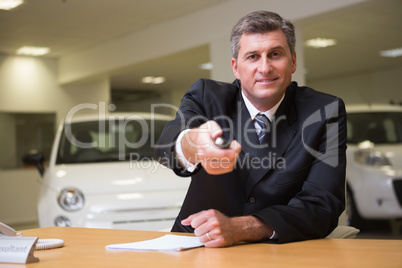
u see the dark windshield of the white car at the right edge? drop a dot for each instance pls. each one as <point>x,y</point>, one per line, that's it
<point>377,127</point>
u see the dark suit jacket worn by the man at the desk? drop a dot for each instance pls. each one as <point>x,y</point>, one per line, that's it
<point>296,184</point>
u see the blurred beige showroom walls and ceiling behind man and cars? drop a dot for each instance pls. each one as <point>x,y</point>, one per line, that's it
<point>134,53</point>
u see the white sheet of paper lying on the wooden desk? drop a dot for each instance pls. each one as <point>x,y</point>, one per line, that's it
<point>164,243</point>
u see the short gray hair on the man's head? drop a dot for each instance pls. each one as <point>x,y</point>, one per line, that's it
<point>262,22</point>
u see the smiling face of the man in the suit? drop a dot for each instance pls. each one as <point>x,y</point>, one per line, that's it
<point>264,67</point>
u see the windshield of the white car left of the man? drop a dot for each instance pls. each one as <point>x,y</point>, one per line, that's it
<point>108,141</point>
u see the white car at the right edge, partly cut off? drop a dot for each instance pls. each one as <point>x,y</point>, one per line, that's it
<point>374,167</point>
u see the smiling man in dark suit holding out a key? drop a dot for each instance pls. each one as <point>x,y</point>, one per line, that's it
<point>282,177</point>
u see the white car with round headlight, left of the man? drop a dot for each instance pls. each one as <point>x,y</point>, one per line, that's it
<point>101,174</point>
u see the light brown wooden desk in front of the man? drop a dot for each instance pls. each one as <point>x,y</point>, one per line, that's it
<point>86,248</point>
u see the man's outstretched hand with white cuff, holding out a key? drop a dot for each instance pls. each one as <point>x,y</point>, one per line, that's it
<point>198,146</point>
